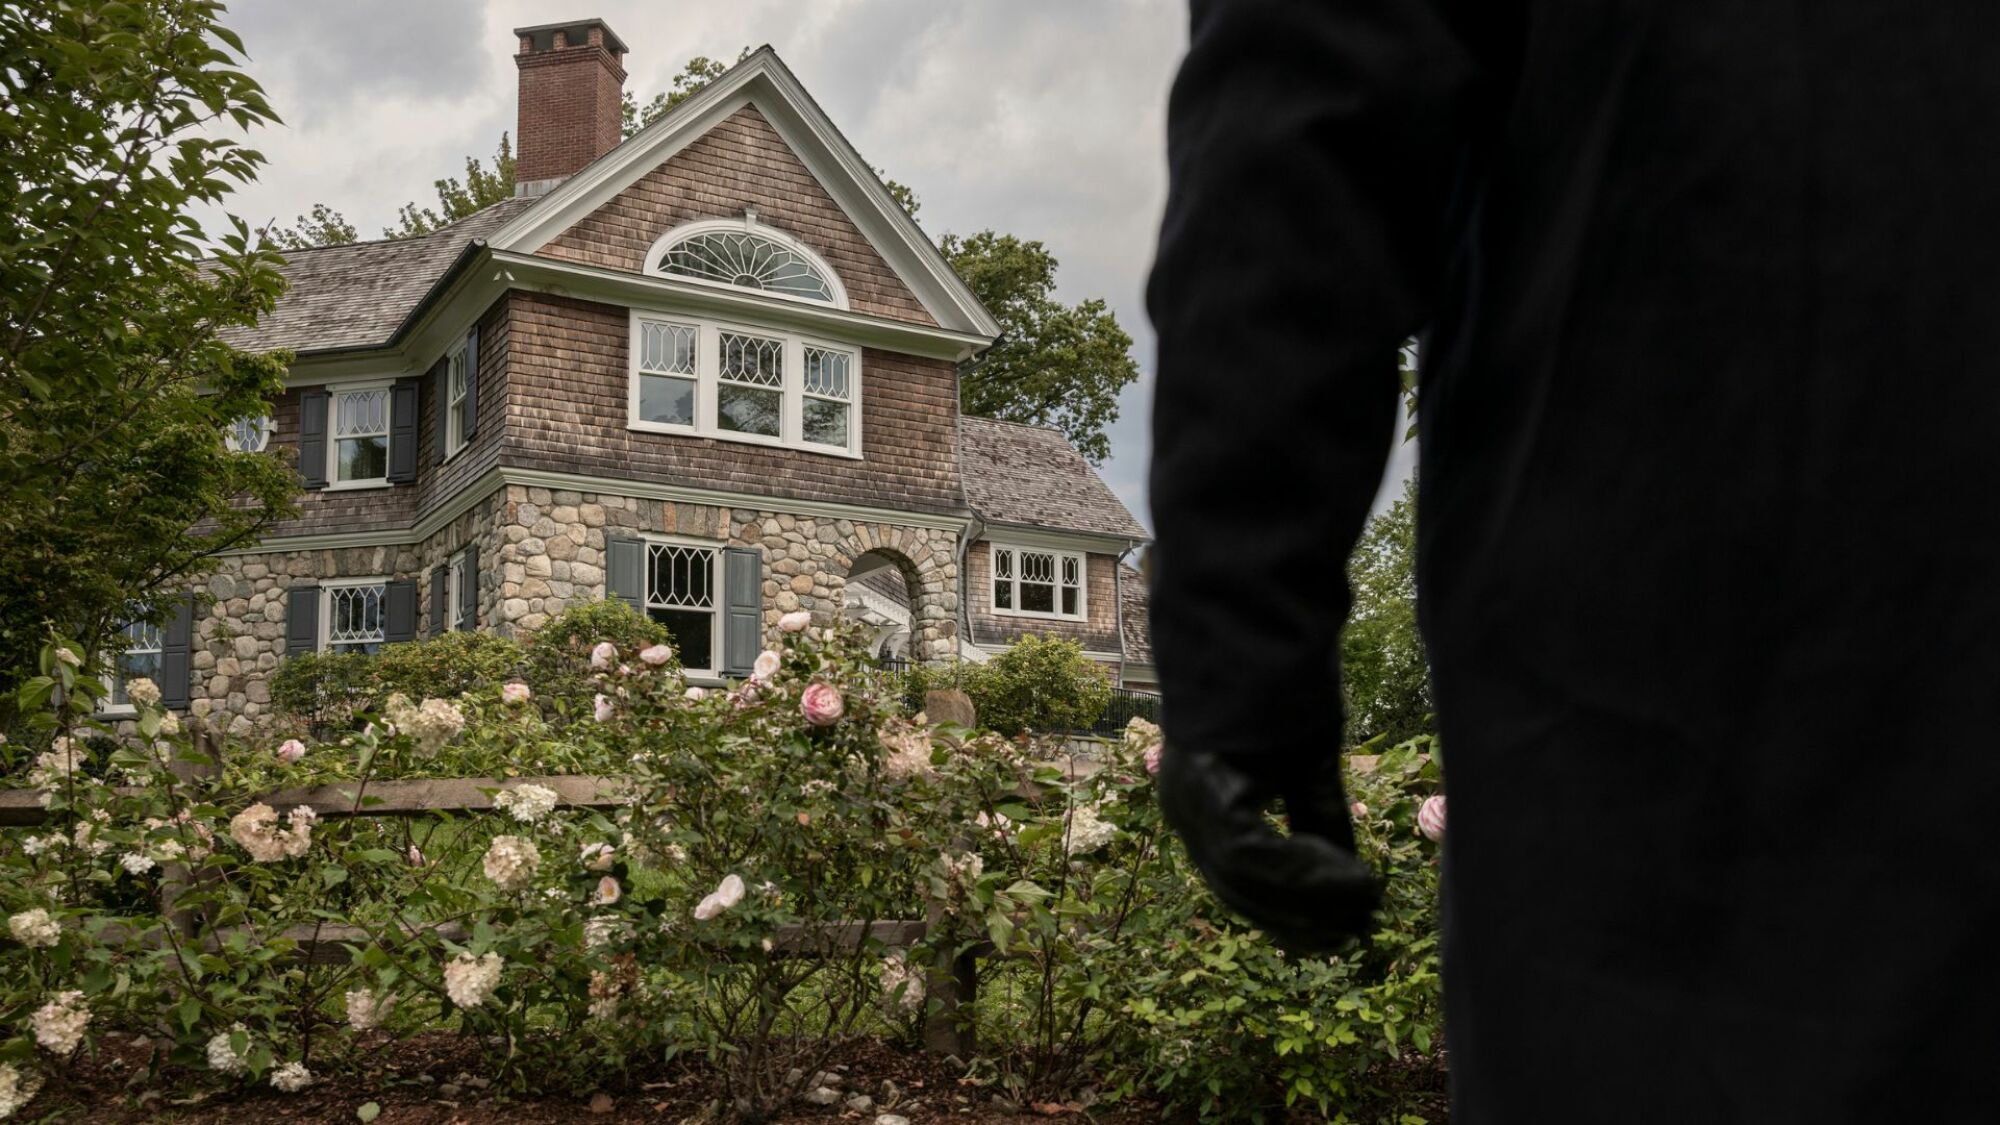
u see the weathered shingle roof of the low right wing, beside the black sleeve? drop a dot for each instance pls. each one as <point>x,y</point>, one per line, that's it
<point>1035,477</point>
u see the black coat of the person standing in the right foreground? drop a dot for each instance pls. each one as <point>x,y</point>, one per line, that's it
<point>1709,519</point>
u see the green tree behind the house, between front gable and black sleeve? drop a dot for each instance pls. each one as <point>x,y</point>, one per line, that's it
<point>1055,365</point>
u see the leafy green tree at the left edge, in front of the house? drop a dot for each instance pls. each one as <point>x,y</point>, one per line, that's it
<point>115,379</point>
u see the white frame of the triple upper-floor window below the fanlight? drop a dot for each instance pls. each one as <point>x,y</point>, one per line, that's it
<point>707,383</point>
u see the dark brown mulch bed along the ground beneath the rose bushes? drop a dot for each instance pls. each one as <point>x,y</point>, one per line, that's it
<point>433,1080</point>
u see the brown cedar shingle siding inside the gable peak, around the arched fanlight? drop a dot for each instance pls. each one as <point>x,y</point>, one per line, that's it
<point>741,163</point>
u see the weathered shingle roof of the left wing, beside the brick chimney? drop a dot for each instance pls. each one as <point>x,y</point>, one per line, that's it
<point>357,295</point>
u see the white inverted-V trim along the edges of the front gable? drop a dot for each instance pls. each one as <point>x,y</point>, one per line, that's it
<point>767,83</point>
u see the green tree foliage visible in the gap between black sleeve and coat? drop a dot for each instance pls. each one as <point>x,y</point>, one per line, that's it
<point>1383,670</point>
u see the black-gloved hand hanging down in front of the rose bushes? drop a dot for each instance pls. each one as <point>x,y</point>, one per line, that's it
<point>1307,890</point>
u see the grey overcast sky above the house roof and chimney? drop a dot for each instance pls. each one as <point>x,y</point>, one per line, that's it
<point>1033,117</point>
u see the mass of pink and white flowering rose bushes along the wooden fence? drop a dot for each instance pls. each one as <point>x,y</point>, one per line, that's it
<point>723,908</point>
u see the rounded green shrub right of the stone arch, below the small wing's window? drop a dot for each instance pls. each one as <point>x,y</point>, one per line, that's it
<point>1039,686</point>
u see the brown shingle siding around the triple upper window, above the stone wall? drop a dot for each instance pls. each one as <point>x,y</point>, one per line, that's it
<point>569,379</point>
